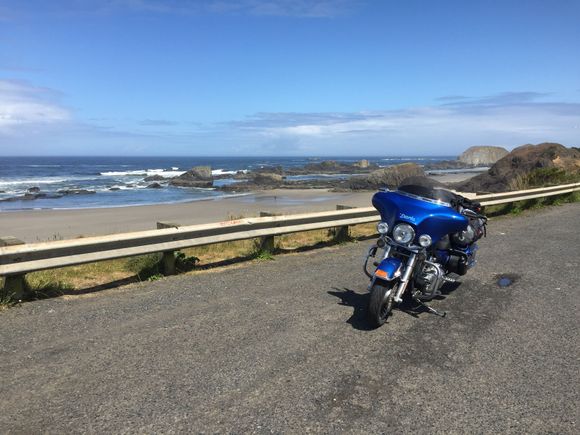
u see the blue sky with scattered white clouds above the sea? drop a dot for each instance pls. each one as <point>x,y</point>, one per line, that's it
<point>286,77</point>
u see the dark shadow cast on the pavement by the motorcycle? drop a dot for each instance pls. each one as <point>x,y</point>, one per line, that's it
<point>359,302</point>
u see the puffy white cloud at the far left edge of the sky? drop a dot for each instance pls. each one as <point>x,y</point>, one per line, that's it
<point>24,106</point>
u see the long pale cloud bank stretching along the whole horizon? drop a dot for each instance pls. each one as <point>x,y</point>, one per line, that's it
<point>34,121</point>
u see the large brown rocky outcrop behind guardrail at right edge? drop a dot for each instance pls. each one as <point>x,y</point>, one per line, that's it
<point>522,162</point>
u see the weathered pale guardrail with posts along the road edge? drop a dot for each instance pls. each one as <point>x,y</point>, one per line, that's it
<point>18,258</point>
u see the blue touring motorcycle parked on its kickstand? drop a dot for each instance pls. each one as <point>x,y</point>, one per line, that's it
<point>427,237</point>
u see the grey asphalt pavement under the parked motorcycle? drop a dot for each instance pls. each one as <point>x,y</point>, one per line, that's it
<point>283,346</point>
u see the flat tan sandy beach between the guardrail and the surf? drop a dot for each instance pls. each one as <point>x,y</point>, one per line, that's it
<point>42,225</point>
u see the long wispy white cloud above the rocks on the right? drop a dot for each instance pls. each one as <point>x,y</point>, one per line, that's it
<point>507,119</point>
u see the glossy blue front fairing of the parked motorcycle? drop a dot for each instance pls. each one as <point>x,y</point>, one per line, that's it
<point>426,217</point>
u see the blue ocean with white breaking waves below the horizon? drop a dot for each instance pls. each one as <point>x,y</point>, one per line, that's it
<point>97,182</point>
